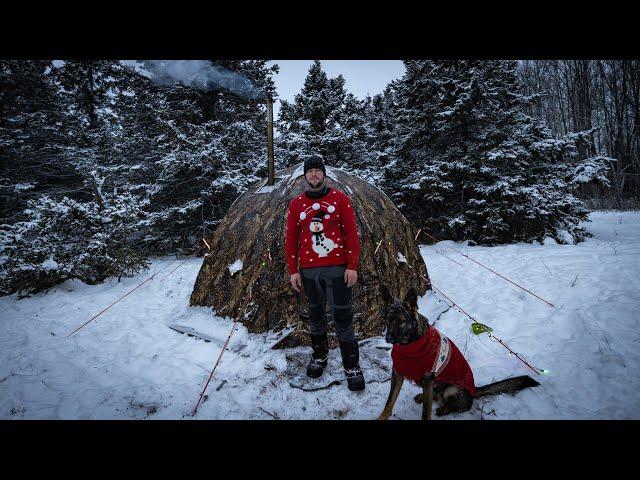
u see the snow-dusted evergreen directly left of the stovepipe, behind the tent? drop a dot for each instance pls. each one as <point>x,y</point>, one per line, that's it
<point>212,147</point>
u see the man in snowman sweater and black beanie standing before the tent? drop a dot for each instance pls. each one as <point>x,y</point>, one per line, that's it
<point>322,237</point>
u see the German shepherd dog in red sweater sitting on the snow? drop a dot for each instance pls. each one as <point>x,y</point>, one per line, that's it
<point>427,357</point>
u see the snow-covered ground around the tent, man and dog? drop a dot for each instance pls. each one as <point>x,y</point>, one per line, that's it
<point>128,364</point>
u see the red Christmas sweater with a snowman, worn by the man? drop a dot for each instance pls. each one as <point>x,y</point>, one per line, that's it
<point>321,232</point>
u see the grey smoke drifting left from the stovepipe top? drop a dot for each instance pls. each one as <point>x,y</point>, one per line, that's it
<point>203,75</point>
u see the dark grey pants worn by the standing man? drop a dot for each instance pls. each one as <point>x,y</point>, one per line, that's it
<point>327,283</point>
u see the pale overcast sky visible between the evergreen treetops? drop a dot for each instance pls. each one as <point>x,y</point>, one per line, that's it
<point>362,76</point>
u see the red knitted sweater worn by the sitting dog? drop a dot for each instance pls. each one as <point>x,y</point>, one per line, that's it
<point>433,353</point>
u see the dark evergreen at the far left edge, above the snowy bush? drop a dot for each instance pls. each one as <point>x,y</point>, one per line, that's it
<point>34,140</point>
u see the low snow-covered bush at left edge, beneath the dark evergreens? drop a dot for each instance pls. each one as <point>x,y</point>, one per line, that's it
<point>65,239</point>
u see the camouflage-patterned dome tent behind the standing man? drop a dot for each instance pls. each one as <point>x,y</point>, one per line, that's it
<point>245,274</point>
